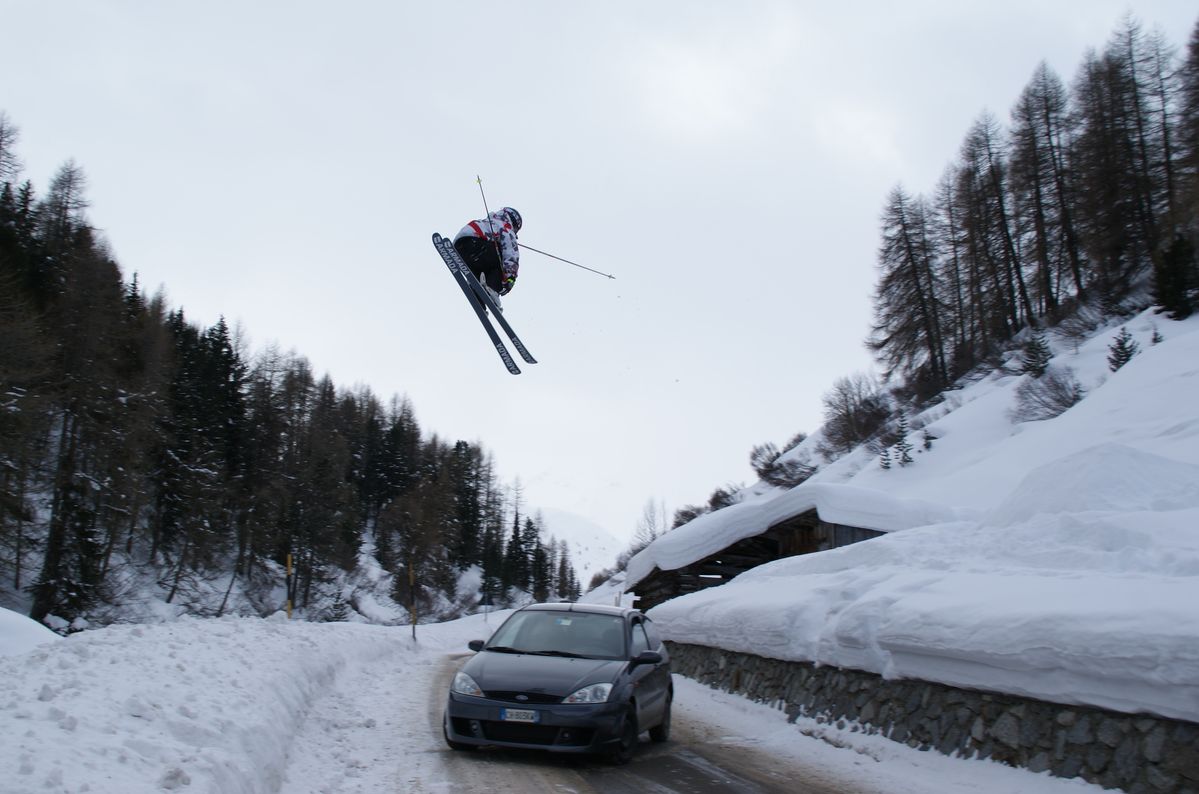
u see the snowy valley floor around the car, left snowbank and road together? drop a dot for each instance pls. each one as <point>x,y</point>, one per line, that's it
<point>275,707</point>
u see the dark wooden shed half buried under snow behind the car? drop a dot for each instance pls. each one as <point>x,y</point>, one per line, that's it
<point>800,534</point>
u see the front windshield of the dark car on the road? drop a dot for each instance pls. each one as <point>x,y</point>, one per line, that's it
<point>562,634</point>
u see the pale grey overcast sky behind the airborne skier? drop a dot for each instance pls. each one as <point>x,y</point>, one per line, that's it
<point>284,165</point>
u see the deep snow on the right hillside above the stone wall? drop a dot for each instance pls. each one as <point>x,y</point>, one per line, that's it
<point>1070,573</point>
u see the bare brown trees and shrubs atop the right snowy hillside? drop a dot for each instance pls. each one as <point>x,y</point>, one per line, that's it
<point>1084,207</point>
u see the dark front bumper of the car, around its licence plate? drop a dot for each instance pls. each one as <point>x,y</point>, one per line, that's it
<point>565,729</point>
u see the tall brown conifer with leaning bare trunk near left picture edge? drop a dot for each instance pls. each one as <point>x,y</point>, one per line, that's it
<point>85,305</point>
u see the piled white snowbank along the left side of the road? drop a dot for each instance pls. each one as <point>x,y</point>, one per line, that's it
<point>201,706</point>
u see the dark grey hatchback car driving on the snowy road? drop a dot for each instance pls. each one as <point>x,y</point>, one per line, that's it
<point>569,678</point>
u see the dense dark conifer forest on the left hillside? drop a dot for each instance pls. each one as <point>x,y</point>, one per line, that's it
<point>141,453</point>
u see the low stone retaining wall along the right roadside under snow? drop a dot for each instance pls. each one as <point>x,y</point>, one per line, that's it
<point>1138,754</point>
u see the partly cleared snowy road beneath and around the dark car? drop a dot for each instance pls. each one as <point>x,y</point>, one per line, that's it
<point>379,730</point>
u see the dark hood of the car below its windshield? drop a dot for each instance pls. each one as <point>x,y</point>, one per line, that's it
<point>557,676</point>
